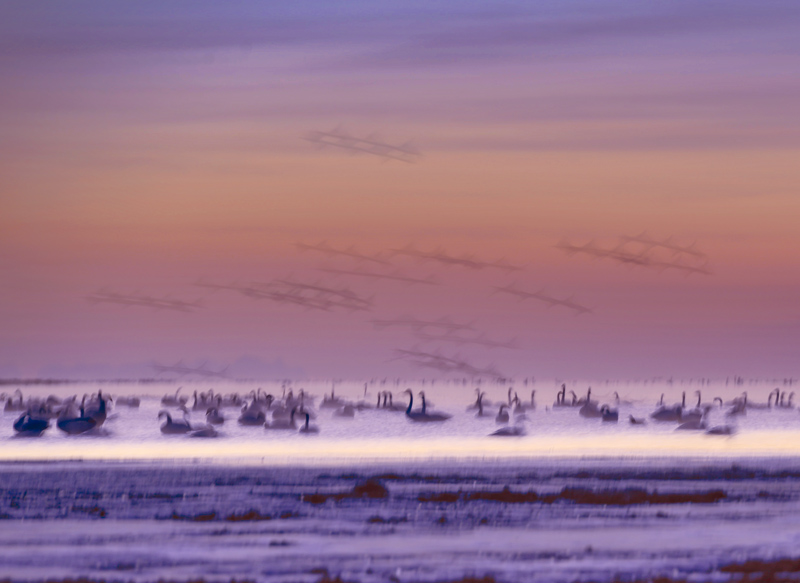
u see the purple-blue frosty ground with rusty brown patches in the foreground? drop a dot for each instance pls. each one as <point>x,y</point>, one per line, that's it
<point>547,520</point>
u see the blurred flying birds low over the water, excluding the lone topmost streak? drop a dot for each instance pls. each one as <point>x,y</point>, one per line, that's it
<point>636,251</point>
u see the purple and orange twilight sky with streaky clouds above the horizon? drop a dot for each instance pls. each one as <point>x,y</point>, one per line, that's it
<point>150,147</point>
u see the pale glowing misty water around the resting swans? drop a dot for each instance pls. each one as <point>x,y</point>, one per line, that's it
<point>376,433</point>
